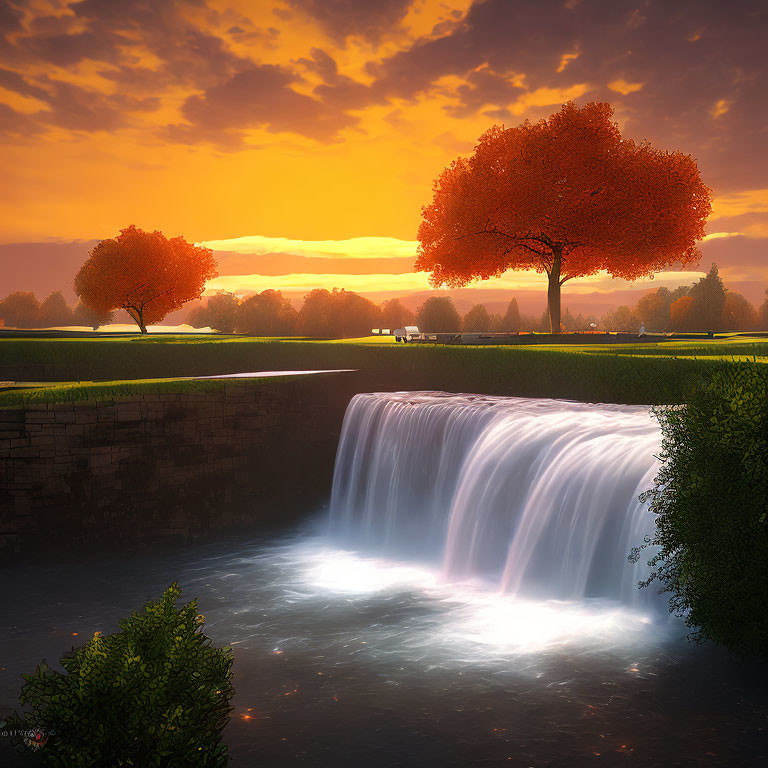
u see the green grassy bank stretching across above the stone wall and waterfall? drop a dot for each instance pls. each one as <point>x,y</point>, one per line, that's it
<point>647,374</point>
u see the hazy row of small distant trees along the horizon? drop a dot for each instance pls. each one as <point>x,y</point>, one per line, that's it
<point>706,305</point>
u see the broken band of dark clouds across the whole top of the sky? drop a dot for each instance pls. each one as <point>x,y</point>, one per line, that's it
<point>698,68</point>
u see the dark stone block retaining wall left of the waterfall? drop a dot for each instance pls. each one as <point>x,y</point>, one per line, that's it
<point>169,466</point>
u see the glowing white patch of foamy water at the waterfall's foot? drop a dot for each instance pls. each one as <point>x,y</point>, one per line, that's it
<point>470,616</point>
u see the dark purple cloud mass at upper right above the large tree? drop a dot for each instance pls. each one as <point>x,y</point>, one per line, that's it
<point>688,56</point>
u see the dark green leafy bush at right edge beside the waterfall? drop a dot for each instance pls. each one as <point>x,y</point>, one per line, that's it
<point>711,502</point>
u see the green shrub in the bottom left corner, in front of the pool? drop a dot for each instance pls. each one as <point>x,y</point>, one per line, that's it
<point>156,693</point>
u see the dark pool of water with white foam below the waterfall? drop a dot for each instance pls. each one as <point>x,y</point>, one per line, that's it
<point>346,660</point>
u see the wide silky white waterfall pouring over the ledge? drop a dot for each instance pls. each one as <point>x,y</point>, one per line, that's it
<point>538,497</point>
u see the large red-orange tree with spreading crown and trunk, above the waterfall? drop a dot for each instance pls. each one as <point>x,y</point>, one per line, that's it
<point>567,196</point>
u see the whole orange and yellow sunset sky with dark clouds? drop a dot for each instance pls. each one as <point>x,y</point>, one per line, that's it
<point>300,138</point>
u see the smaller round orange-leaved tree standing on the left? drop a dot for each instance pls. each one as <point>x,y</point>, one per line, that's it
<point>145,274</point>
